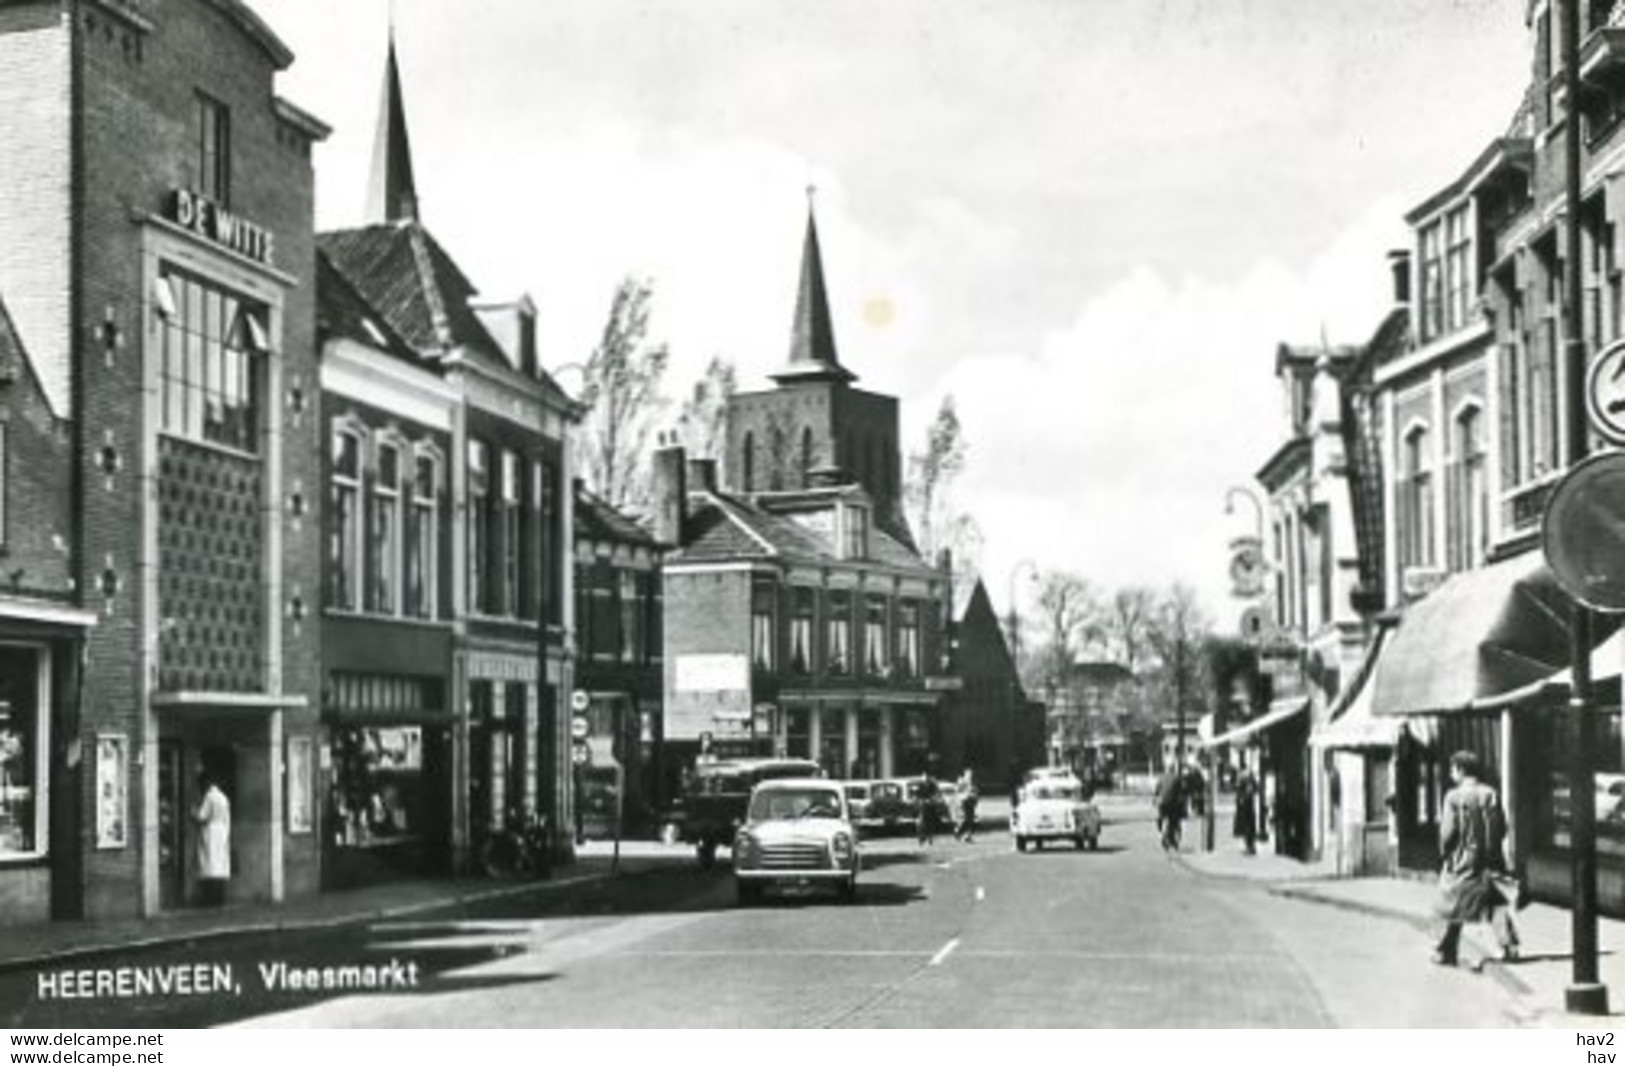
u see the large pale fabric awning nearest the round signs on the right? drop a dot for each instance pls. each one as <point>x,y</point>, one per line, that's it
<point>1481,635</point>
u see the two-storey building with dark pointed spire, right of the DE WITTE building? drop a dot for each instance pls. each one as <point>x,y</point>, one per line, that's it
<point>448,586</point>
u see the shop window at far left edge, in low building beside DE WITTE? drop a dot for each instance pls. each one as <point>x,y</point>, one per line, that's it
<point>24,745</point>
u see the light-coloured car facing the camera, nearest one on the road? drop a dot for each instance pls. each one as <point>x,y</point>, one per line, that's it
<point>797,834</point>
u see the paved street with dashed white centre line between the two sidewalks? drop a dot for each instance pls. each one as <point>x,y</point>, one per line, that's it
<point>950,937</point>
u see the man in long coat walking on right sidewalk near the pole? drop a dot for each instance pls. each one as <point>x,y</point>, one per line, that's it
<point>1473,839</point>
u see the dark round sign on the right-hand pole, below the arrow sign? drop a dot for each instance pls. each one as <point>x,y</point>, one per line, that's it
<point>1585,532</point>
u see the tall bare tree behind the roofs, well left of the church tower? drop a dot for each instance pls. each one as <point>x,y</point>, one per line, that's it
<point>623,401</point>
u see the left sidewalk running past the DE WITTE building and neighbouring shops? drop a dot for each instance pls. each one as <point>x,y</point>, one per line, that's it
<point>53,945</point>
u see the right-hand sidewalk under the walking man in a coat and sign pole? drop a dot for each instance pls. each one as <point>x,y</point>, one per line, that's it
<point>1535,984</point>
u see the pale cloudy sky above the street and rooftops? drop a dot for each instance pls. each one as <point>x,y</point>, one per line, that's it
<point>1088,220</point>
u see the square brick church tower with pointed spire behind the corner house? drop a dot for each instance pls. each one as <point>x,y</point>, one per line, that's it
<point>815,428</point>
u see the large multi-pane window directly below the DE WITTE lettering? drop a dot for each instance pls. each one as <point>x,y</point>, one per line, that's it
<point>214,345</point>
